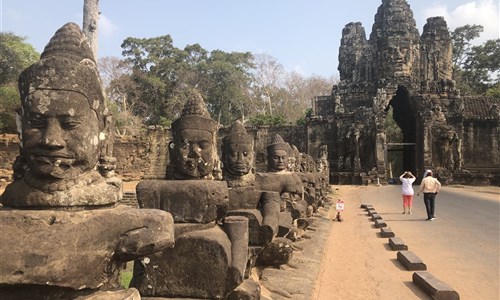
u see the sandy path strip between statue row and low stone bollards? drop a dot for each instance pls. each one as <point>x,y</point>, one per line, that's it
<point>358,264</point>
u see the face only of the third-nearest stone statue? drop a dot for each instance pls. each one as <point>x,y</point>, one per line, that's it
<point>238,159</point>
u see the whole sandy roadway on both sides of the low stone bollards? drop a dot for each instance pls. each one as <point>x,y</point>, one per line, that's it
<point>359,264</point>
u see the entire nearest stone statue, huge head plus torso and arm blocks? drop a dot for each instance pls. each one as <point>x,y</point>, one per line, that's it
<point>63,237</point>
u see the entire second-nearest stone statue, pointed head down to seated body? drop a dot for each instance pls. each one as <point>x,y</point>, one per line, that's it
<point>210,254</point>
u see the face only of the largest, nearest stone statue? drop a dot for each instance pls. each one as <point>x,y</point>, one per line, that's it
<point>60,134</point>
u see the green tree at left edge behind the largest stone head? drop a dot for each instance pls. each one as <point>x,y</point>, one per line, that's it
<point>15,55</point>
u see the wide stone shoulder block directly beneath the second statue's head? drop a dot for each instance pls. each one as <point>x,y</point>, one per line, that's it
<point>189,201</point>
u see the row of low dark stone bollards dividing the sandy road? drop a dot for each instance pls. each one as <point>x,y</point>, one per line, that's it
<point>427,282</point>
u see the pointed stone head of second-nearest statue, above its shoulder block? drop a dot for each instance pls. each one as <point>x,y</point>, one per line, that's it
<point>194,147</point>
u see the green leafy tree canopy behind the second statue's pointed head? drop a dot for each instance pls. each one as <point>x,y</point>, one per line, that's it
<point>161,71</point>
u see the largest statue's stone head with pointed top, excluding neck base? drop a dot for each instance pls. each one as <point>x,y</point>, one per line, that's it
<point>64,117</point>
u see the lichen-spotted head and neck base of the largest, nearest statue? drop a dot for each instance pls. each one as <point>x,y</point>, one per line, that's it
<point>64,130</point>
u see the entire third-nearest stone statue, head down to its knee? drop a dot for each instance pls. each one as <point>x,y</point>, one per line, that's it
<point>262,208</point>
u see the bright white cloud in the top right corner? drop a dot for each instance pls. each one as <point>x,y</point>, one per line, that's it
<point>480,12</point>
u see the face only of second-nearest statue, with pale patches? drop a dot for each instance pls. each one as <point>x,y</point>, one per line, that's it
<point>194,153</point>
